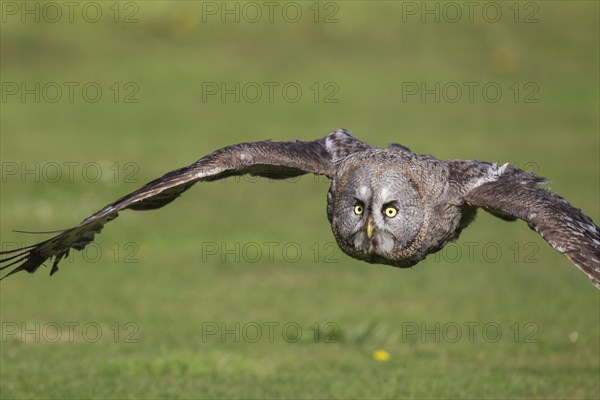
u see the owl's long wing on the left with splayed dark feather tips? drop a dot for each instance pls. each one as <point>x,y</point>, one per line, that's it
<point>276,160</point>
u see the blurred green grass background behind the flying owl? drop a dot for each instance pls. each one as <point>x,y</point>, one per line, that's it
<point>174,288</point>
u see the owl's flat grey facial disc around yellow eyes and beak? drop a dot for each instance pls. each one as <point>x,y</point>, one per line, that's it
<point>378,214</point>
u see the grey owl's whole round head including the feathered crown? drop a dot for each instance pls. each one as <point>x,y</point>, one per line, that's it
<point>378,211</point>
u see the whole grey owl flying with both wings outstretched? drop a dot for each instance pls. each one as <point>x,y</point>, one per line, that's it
<point>385,205</point>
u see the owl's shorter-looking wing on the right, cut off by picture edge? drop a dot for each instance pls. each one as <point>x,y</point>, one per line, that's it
<point>511,193</point>
